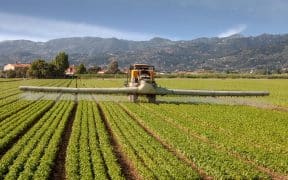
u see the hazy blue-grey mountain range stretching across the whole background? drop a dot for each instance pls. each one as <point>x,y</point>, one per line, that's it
<point>230,53</point>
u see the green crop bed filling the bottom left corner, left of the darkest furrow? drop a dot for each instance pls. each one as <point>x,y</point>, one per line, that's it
<point>33,155</point>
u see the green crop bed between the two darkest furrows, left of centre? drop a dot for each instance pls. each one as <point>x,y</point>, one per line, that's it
<point>89,153</point>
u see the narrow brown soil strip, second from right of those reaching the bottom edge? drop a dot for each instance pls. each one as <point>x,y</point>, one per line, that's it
<point>167,146</point>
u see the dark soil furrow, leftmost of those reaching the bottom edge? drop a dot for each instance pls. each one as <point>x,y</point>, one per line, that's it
<point>58,171</point>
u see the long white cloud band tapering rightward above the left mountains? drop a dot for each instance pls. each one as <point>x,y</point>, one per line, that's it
<point>39,29</point>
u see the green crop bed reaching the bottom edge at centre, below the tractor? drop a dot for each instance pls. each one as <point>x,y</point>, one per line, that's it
<point>149,157</point>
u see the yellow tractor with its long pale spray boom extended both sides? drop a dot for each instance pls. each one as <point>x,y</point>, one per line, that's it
<point>141,82</point>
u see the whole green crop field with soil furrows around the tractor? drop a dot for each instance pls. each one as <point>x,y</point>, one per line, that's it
<point>55,136</point>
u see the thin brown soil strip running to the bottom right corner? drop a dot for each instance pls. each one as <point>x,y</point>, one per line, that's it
<point>265,170</point>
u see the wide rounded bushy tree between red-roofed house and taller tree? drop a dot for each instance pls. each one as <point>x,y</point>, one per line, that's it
<point>39,69</point>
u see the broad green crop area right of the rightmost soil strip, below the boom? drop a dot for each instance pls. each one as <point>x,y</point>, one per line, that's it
<point>255,134</point>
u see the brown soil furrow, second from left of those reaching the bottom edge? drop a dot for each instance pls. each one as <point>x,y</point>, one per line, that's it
<point>127,168</point>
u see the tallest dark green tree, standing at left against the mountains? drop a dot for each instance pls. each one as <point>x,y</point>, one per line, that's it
<point>61,63</point>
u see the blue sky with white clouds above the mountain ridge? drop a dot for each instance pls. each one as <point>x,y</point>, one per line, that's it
<point>140,19</point>
